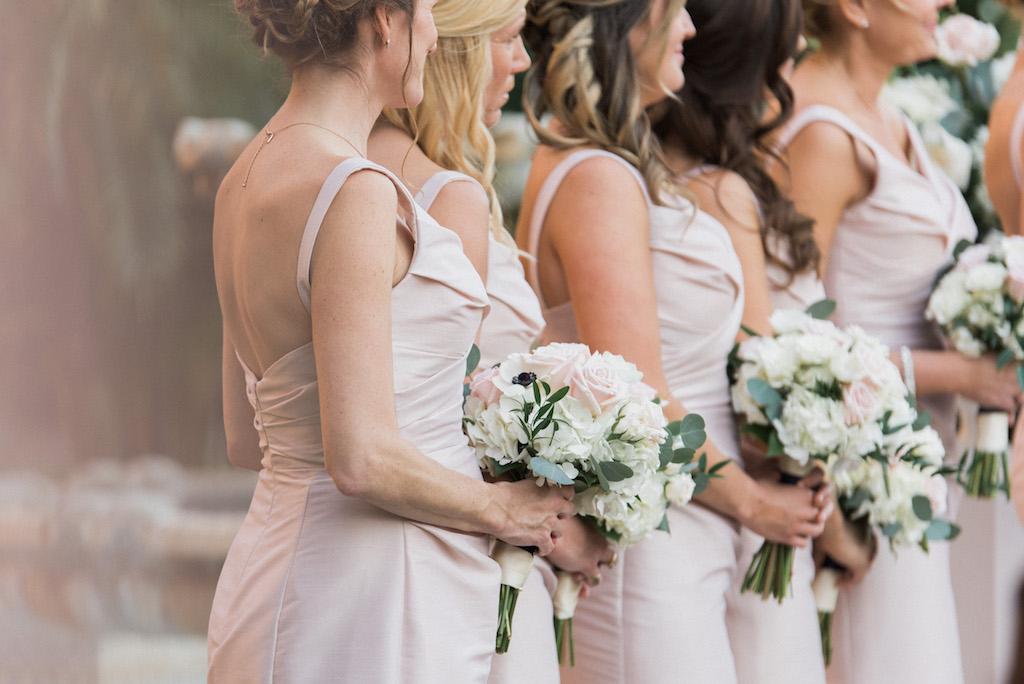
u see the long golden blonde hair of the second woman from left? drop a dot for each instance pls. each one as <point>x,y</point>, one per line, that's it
<point>448,125</point>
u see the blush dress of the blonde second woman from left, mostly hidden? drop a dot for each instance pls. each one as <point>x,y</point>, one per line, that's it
<point>514,325</point>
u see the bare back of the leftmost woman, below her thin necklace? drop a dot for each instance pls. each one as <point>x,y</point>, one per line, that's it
<point>259,230</point>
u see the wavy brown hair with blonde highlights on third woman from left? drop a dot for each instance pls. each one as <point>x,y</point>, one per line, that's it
<point>585,75</point>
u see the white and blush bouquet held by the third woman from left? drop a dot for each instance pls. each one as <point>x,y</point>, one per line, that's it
<point>816,396</point>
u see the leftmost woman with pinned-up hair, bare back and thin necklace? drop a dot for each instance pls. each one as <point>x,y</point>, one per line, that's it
<point>364,554</point>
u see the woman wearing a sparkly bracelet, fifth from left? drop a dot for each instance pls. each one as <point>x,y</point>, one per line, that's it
<point>886,222</point>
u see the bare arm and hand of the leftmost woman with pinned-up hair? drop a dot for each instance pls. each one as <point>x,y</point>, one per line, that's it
<point>357,261</point>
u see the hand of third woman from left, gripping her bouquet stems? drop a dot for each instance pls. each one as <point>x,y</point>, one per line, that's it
<point>791,515</point>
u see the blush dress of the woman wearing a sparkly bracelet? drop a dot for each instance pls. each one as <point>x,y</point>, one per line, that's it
<point>901,624</point>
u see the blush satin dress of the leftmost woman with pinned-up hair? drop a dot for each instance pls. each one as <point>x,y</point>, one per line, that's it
<point>319,587</point>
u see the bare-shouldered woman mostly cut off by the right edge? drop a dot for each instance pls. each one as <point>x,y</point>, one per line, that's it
<point>1005,149</point>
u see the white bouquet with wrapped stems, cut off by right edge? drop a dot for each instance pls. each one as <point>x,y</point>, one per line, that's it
<point>979,306</point>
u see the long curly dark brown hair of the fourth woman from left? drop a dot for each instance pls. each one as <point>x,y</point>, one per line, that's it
<point>733,71</point>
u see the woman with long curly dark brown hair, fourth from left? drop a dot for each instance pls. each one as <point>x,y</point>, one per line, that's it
<point>718,140</point>
